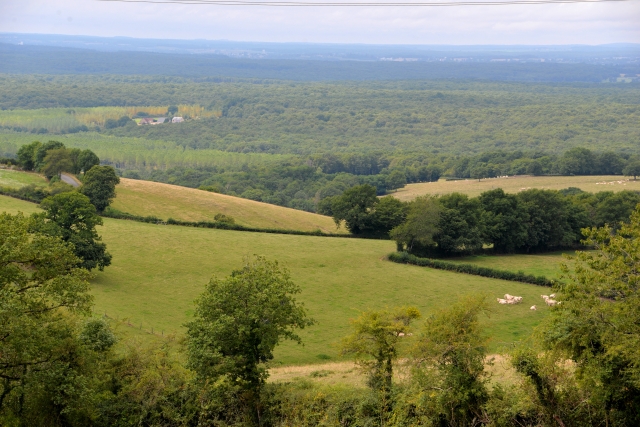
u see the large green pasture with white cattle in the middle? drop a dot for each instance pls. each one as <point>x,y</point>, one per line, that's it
<point>158,271</point>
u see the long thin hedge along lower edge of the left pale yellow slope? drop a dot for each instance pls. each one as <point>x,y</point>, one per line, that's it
<point>222,225</point>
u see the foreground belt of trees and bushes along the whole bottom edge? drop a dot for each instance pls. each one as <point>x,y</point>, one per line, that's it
<point>59,366</point>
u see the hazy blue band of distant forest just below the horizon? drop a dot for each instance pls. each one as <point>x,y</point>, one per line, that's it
<point>26,59</point>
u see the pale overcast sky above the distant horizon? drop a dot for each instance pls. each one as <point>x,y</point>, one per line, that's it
<point>535,24</point>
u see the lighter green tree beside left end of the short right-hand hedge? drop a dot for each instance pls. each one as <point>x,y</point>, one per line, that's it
<point>418,231</point>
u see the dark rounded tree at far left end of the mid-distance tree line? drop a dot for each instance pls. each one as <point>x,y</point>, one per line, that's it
<point>356,208</point>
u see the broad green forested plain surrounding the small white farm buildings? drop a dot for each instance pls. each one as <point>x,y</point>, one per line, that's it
<point>294,144</point>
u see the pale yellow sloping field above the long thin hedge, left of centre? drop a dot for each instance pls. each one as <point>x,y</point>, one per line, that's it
<point>165,201</point>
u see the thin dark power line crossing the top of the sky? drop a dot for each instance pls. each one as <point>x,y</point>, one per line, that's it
<point>285,3</point>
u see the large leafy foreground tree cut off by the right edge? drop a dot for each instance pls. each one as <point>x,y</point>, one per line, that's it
<point>597,324</point>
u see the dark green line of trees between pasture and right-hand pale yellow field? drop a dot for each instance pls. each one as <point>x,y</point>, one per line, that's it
<point>455,224</point>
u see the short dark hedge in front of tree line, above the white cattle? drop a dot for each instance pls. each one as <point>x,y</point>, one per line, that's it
<point>406,258</point>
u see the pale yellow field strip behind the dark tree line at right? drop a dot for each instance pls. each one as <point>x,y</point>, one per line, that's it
<point>514,184</point>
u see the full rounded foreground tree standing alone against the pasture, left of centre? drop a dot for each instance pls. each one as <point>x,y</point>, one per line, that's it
<point>240,320</point>
